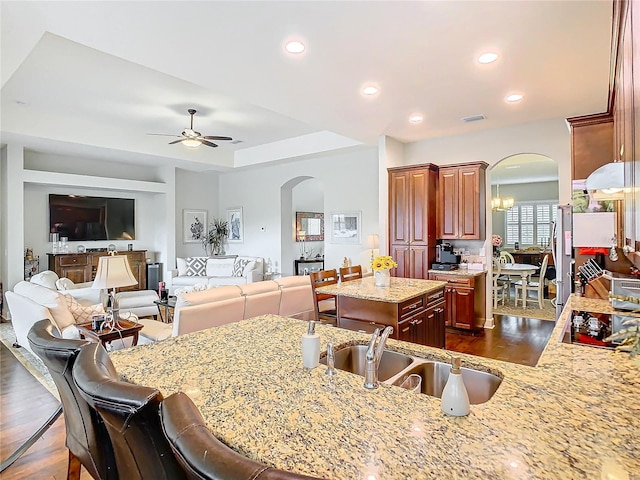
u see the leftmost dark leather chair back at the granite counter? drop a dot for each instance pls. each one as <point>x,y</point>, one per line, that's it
<point>87,437</point>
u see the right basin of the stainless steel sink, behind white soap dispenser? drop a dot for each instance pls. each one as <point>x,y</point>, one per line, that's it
<point>480,385</point>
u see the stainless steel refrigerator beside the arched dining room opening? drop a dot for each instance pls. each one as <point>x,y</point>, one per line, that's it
<point>563,256</point>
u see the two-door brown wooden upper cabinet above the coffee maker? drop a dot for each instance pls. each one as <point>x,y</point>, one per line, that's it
<point>461,206</point>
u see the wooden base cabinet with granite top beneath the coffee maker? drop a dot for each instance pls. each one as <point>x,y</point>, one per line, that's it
<point>464,300</point>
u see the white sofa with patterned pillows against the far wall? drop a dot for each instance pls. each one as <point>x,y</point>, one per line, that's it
<point>192,271</point>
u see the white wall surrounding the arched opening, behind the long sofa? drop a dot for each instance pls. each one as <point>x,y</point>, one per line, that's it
<point>349,181</point>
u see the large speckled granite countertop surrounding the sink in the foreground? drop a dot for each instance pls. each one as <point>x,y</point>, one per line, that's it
<point>575,415</point>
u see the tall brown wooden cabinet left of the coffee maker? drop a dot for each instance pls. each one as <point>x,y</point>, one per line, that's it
<point>412,229</point>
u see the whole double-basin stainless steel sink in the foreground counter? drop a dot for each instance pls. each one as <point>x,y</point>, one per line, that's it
<point>396,367</point>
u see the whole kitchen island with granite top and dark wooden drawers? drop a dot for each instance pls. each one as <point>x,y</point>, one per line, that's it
<point>415,308</point>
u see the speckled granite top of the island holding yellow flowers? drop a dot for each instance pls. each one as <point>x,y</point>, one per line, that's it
<point>401,289</point>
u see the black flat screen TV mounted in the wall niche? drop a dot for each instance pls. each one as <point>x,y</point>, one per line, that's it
<point>81,218</point>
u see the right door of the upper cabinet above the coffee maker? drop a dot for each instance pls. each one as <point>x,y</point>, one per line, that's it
<point>471,205</point>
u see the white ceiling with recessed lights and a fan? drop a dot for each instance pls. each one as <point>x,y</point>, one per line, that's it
<point>94,78</point>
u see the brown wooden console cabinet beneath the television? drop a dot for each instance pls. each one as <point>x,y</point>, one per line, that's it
<point>82,267</point>
